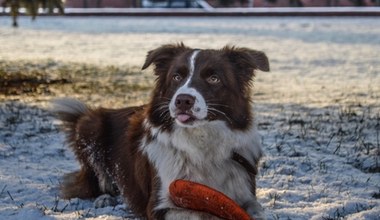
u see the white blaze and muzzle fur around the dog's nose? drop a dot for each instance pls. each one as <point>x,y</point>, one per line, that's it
<point>199,110</point>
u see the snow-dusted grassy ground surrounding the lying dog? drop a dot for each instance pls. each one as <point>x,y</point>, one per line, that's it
<point>318,109</point>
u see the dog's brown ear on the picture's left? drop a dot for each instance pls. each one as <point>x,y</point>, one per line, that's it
<point>162,56</point>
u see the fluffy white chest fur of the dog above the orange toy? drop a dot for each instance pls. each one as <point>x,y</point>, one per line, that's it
<point>203,155</point>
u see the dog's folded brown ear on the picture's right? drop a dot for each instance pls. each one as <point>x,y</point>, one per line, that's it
<point>247,59</point>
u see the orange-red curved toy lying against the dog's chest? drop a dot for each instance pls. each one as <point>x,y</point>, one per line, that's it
<point>195,196</point>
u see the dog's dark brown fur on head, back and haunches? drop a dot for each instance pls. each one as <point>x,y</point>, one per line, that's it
<point>107,142</point>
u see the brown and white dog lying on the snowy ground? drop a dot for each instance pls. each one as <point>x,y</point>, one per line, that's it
<point>198,126</point>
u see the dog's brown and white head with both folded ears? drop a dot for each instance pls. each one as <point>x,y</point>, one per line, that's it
<point>196,86</point>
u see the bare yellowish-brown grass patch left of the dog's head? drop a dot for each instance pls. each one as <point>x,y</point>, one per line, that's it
<point>70,79</point>
